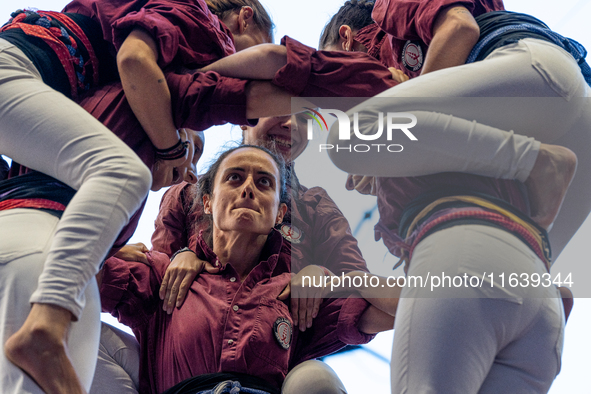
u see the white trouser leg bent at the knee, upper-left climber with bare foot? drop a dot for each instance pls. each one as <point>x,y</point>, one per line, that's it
<point>42,129</point>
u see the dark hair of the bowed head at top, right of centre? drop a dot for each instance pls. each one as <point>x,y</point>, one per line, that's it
<point>354,13</point>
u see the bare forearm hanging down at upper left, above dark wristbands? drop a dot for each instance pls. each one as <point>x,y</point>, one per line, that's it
<point>146,90</point>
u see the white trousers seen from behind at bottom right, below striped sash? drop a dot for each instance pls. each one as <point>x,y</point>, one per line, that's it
<point>467,340</point>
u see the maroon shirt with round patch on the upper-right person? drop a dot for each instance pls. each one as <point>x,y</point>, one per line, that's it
<point>409,24</point>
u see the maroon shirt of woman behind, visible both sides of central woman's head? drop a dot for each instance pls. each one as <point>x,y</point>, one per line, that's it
<point>319,232</point>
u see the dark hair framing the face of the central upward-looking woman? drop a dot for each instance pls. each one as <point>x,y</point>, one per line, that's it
<point>207,181</point>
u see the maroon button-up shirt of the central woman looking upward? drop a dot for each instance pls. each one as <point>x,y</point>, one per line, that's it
<point>225,325</point>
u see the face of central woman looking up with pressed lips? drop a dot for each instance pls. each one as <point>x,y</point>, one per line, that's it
<point>246,192</point>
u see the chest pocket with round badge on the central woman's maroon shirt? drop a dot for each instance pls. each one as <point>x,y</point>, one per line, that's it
<point>268,355</point>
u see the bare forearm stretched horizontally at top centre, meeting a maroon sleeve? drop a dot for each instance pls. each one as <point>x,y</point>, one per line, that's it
<point>258,62</point>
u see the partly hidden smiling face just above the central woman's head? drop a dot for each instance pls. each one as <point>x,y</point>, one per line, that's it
<point>284,134</point>
